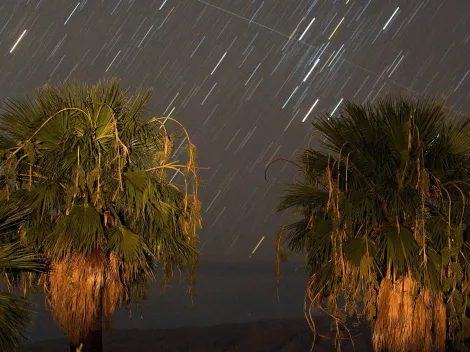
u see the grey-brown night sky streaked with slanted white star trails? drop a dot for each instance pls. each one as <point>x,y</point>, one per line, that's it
<point>245,77</point>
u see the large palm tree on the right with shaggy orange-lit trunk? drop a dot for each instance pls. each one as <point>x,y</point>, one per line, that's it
<point>381,213</point>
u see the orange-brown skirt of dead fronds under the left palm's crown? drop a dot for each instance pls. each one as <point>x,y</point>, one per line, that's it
<point>78,288</point>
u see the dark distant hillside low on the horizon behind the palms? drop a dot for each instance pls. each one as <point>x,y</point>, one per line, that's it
<point>275,335</point>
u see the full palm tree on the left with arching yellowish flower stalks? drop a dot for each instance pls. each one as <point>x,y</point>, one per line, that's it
<point>92,169</point>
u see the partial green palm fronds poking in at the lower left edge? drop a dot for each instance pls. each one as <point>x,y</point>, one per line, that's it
<point>15,259</point>
